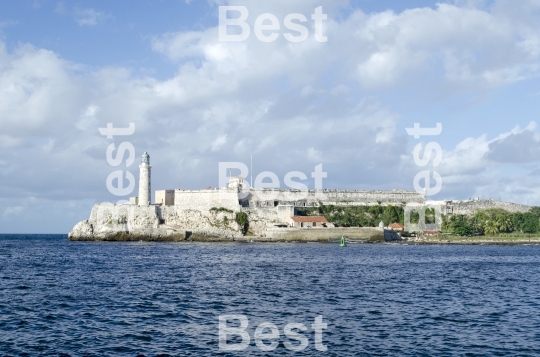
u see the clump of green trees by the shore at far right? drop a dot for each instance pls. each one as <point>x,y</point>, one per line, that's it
<point>493,222</point>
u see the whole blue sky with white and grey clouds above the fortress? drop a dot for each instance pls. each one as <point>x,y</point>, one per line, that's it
<point>68,68</point>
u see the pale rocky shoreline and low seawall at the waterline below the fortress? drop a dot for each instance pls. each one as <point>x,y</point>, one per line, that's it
<point>128,223</point>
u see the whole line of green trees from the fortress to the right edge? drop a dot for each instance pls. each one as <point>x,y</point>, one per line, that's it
<point>489,221</point>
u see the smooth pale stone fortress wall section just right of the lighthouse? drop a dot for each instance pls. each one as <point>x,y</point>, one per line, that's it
<point>204,200</point>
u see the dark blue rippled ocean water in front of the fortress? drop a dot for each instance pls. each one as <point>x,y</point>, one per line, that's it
<point>59,298</point>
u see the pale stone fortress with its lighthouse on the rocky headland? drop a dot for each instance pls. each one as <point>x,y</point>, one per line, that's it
<point>211,214</point>
